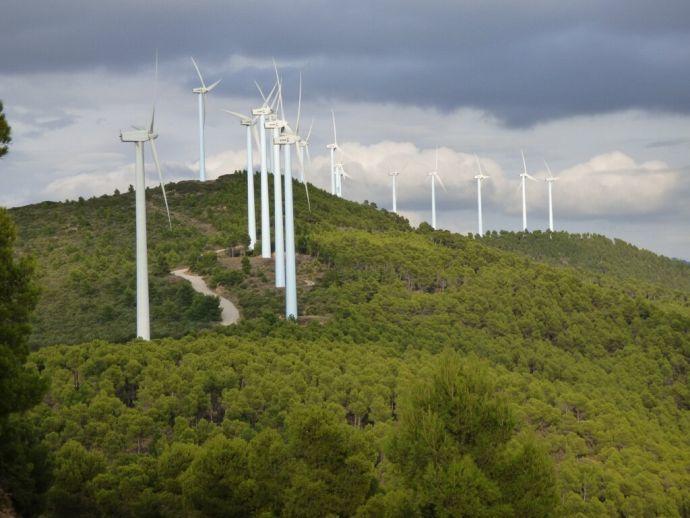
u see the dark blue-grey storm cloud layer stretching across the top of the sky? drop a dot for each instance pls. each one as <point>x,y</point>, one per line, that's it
<point>523,62</point>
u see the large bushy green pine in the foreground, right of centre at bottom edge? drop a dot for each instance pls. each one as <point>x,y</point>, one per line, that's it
<point>453,448</point>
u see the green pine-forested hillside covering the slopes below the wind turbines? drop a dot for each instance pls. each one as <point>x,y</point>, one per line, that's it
<point>431,374</point>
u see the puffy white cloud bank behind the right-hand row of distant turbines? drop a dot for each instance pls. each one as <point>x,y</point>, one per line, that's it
<point>606,185</point>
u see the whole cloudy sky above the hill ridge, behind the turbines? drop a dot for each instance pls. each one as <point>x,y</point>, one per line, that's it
<point>600,90</point>
